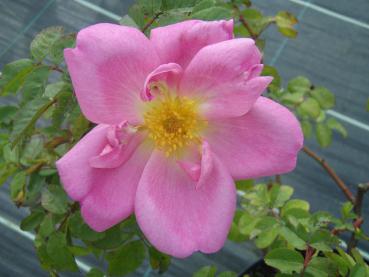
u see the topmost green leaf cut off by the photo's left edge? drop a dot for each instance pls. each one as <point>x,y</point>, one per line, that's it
<point>14,74</point>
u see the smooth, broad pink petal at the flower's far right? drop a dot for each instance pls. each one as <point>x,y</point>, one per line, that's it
<point>263,142</point>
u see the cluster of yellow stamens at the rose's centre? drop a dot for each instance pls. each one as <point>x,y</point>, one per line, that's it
<point>173,123</point>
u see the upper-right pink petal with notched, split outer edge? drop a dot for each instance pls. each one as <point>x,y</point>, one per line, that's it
<point>225,77</point>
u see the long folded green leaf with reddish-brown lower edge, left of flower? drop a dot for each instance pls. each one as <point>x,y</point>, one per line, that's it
<point>27,117</point>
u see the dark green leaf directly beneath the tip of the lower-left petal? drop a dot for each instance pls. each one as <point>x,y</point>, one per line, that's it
<point>81,230</point>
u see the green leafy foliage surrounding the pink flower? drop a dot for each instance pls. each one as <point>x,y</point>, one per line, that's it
<point>43,121</point>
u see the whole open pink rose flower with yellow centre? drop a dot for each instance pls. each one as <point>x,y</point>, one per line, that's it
<point>179,116</point>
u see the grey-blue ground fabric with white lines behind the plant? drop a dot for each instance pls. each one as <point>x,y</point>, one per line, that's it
<point>332,50</point>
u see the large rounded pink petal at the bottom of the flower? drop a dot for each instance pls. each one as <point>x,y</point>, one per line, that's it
<point>179,215</point>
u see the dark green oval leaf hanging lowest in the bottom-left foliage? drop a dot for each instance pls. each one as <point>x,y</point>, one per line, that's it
<point>59,253</point>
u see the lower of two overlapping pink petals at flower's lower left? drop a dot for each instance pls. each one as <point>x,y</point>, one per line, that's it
<point>112,196</point>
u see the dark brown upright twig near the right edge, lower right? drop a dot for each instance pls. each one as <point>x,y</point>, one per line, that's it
<point>358,206</point>
